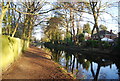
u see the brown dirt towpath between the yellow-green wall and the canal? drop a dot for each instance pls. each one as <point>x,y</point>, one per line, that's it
<point>35,64</point>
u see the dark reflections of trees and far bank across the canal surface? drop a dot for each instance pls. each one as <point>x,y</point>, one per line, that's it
<point>85,61</point>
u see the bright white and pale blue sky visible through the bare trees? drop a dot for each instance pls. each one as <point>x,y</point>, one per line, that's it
<point>110,22</point>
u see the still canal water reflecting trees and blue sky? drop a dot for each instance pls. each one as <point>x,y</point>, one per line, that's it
<point>84,66</point>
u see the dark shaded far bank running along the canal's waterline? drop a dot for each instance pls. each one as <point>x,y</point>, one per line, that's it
<point>85,50</point>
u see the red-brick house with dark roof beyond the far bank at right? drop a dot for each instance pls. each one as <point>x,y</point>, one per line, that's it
<point>105,33</point>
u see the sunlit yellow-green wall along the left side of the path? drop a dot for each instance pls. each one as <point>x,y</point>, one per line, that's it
<point>11,49</point>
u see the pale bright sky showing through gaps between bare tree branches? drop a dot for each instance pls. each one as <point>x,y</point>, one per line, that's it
<point>110,23</point>
